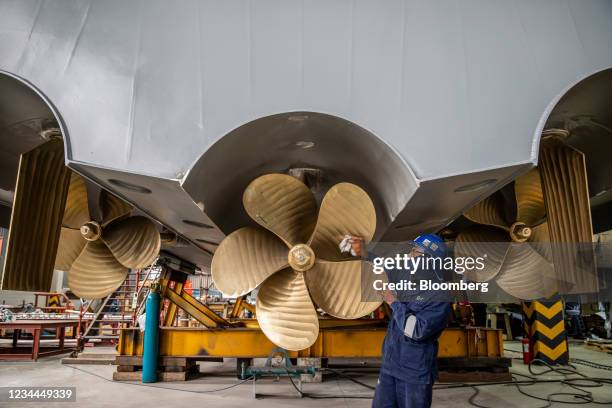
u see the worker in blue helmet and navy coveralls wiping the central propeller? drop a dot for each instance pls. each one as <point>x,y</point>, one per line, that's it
<point>410,348</point>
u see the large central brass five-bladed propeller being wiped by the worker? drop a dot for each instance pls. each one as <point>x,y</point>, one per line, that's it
<point>305,264</point>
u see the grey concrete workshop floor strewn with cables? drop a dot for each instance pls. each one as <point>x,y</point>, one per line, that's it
<point>93,391</point>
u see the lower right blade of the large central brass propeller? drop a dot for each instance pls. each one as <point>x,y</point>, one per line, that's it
<point>340,288</point>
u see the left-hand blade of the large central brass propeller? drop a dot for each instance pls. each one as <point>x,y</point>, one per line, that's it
<point>245,258</point>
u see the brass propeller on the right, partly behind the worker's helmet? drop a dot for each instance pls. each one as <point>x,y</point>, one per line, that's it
<point>518,253</point>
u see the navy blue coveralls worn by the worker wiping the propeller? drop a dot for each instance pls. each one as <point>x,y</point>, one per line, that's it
<point>409,365</point>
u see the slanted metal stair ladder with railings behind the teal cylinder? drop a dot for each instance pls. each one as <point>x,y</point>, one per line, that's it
<point>120,309</point>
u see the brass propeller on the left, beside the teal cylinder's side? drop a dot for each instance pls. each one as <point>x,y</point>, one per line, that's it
<point>98,253</point>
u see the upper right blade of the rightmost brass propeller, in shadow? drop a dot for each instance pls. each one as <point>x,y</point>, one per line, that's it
<point>529,198</point>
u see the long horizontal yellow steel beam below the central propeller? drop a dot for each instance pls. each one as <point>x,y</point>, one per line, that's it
<point>341,342</point>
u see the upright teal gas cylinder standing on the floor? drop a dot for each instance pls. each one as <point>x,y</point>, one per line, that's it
<point>151,338</point>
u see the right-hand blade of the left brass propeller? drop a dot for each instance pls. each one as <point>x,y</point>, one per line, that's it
<point>135,241</point>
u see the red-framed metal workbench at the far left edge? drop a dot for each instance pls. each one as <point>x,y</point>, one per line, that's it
<point>36,327</point>
